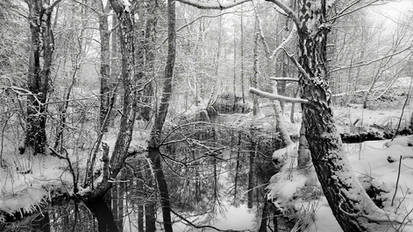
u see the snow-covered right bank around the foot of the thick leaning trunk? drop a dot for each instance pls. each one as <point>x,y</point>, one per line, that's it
<point>369,159</point>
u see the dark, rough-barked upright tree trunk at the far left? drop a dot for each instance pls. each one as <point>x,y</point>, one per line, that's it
<point>42,46</point>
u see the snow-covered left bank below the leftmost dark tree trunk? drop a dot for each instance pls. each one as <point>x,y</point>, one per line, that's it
<point>28,179</point>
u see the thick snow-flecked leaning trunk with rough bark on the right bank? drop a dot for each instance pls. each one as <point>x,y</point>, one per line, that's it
<point>351,205</point>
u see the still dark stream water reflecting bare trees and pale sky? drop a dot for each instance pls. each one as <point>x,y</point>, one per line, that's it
<point>213,178</point>
